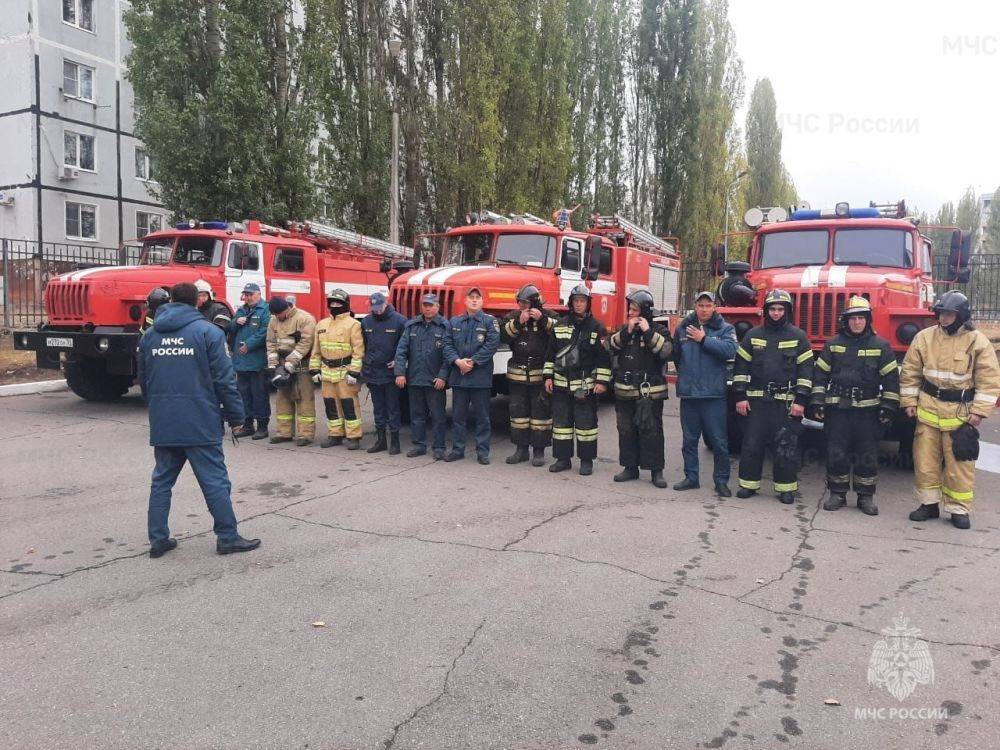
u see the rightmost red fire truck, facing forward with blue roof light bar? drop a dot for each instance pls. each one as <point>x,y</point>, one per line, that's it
<point>823,257</point>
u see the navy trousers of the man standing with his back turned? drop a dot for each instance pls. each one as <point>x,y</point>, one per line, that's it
<point>209,466</point>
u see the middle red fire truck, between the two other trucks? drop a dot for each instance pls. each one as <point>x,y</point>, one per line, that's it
<point>499,254</point>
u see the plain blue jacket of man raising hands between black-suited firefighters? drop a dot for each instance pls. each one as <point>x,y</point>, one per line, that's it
<point>703,368</point>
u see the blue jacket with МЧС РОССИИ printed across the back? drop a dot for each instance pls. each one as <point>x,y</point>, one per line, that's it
<point>185,374</point>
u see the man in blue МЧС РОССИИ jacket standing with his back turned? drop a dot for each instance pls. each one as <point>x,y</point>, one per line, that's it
<point>185,374</point>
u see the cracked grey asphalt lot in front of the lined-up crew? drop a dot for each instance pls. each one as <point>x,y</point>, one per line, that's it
<point>473,607</point>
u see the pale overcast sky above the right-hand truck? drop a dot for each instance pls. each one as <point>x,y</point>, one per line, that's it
<point>879,100</point>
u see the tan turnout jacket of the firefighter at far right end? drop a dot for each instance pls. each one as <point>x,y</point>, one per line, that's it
<point>964,360</point>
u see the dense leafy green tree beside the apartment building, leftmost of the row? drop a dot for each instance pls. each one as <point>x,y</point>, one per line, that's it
<point>224,93</point>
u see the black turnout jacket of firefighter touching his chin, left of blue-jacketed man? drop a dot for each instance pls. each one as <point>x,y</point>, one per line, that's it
<point>642,359</point>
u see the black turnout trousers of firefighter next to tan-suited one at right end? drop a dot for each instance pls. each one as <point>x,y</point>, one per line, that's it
<point>851,443</point>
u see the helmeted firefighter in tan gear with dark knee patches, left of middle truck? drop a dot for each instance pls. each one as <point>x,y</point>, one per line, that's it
<point>336,362</point>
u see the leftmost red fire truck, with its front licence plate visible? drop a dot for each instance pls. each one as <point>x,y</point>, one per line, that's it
<point>94,314</point>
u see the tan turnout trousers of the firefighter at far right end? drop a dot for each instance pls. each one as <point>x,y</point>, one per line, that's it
<point>954,482</point>
